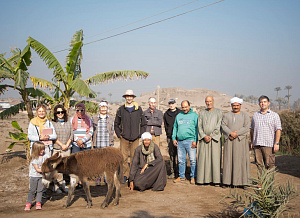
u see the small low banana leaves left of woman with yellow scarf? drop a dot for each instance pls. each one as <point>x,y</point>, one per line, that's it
<point>20,137</point>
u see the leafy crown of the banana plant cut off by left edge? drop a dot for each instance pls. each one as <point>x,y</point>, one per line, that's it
<point>15,69</point>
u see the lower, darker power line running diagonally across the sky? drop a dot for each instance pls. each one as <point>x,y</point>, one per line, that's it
<point>150,24</point>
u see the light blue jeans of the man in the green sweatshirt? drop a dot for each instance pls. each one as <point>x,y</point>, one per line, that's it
<point>183,148</point>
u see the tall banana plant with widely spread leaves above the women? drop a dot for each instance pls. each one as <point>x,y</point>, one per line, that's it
<point>70,78</point>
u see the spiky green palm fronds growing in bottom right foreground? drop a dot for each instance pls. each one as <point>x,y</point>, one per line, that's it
<point>268,201</point>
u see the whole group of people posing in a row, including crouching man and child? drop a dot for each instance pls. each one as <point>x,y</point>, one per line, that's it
<point>144,167</point>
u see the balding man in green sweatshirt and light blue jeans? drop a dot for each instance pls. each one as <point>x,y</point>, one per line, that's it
<point>185,137</point>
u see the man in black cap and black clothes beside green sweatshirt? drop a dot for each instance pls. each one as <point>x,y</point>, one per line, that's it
<point>169,119</point>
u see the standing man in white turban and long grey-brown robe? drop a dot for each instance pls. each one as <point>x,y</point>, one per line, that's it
<point>236,161</point>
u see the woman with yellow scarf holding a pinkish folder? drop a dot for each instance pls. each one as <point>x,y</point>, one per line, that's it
<point>41,129</point>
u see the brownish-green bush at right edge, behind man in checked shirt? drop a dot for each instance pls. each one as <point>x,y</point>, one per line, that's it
<point>290,135</point>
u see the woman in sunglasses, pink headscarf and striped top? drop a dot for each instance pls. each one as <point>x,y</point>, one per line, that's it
<point>82,128</point>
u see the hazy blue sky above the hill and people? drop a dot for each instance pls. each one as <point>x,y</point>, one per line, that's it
<point>235,46</point>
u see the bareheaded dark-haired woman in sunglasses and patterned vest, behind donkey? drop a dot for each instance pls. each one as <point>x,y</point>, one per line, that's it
<point>64,132</point>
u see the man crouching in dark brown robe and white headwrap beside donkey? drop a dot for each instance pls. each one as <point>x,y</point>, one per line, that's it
<point>148,169</point>
